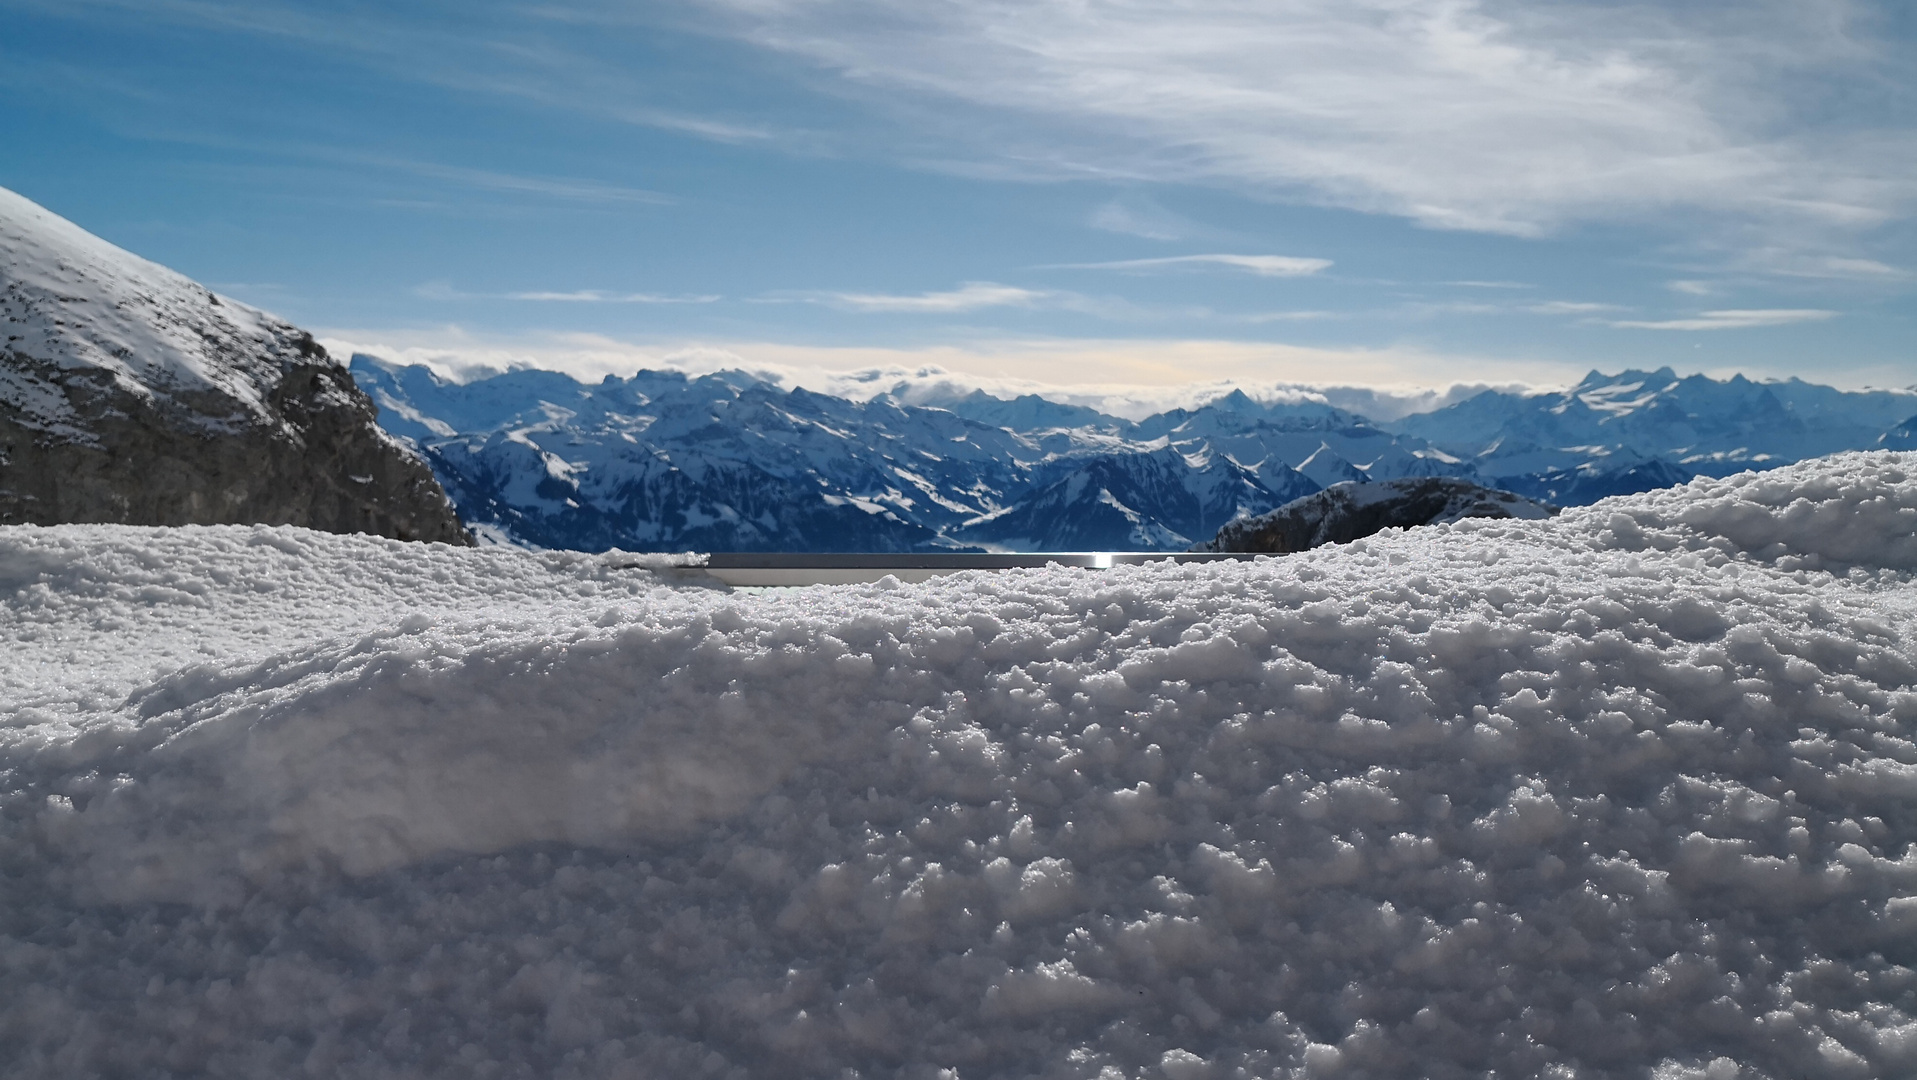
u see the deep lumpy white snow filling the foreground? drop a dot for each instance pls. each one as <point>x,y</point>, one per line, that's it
<point>1619,795</point>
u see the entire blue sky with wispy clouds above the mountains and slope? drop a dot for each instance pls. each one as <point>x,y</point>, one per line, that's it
<point>1057,191</point>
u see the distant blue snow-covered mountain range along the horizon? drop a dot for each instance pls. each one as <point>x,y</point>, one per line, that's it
<point>666,461</point>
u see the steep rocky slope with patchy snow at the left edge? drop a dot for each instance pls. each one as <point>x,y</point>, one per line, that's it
<point>131,394</point>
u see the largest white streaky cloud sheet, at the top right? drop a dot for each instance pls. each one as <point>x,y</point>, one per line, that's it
<point>1458,114</point>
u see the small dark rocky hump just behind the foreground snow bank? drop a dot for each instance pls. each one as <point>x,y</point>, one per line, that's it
<point>1351,511</point>
